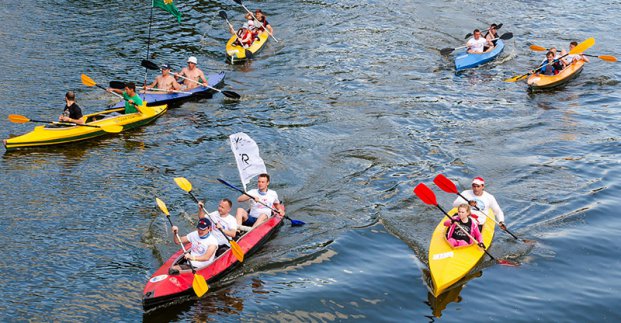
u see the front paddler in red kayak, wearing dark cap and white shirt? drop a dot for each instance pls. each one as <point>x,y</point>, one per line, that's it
<point>203,249</point>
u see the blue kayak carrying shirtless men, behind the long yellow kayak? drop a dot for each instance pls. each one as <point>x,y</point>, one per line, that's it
<point>153,98</point>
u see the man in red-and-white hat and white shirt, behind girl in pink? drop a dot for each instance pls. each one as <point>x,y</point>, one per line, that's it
<point>478,197</point>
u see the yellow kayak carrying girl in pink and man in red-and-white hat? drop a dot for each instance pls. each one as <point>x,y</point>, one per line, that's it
<point>447,264</point>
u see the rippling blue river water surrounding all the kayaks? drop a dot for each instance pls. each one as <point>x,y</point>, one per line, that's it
<point>351,109</point>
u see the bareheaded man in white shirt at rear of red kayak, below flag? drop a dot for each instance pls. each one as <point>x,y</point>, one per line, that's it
<point>261,207</point>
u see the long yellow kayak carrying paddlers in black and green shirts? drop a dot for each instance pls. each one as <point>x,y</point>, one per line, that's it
<point>54,135</point>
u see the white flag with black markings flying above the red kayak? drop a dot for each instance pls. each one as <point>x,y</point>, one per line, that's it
<point>249,162</point>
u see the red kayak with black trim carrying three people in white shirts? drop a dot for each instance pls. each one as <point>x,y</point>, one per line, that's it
<point>163,287</point>
